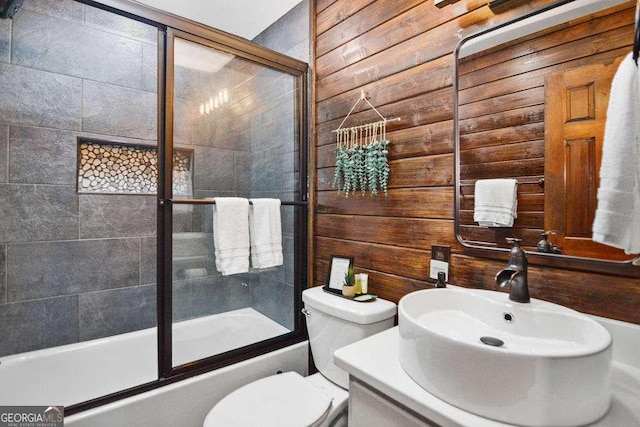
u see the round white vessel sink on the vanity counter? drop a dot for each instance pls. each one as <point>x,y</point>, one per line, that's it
<point>548,365</point>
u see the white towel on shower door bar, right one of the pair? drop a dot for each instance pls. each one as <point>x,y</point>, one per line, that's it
<point>266,233</point>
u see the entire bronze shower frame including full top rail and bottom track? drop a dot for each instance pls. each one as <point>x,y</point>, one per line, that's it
<point>169,26</point>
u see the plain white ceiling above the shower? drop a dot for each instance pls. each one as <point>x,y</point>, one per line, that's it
<point>245,18</point>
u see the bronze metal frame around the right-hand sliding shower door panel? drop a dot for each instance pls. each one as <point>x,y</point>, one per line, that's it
<point>246,50</point>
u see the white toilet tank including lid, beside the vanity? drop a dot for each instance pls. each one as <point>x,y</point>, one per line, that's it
<point>334,322</point>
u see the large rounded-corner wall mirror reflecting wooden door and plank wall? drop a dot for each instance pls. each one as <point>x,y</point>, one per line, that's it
<point>530,103</point>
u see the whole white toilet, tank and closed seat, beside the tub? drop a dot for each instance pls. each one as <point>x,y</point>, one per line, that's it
<point>320,399</point>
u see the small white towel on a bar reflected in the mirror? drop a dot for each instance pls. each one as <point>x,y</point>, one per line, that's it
<point>496,202</point>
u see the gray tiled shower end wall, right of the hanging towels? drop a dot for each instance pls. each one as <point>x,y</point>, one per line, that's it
<point>273,157</point>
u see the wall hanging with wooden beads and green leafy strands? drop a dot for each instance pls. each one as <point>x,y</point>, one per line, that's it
<point>361,155</point>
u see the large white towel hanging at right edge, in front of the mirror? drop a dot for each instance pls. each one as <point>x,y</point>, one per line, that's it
<point>617,219</point>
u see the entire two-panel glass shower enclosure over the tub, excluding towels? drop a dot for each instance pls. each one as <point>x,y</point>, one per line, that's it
<point>118,128</point>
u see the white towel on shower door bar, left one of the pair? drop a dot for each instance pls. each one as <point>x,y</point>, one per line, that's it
<point>231,235</point>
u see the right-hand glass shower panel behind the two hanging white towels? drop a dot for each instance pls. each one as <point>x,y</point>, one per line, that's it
<point>234,125</point>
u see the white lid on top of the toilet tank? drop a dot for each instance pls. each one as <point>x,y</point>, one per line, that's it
<point>363,313</point>
